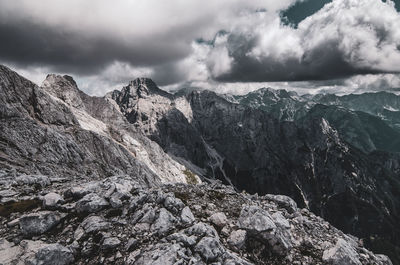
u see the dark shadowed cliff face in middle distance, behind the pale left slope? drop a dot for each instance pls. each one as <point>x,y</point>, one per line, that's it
<point>255,149</point>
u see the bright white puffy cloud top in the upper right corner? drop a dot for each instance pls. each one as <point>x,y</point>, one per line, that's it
<point>367,32</point>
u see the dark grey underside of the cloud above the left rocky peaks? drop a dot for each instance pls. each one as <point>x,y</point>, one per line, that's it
<point>29,43</point>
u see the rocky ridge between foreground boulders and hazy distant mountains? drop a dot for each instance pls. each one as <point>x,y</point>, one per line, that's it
<point>155,137</point>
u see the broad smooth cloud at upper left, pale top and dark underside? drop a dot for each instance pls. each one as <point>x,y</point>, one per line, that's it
<point>85,36</point>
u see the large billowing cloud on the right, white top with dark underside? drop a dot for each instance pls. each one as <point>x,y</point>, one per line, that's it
<point>345,37</point>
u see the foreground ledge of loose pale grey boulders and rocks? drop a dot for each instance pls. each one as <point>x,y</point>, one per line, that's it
<point>119,221</point>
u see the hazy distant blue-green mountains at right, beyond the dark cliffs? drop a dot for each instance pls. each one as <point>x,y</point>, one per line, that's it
<point>367,121</point>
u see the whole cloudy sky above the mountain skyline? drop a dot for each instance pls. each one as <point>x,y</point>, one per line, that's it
<point>229,46</point>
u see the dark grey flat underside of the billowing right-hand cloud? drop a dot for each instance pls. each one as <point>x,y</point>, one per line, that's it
<point>323,62</point>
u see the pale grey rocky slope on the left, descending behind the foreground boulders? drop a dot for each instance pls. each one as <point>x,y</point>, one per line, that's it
<point>58,130</point>
